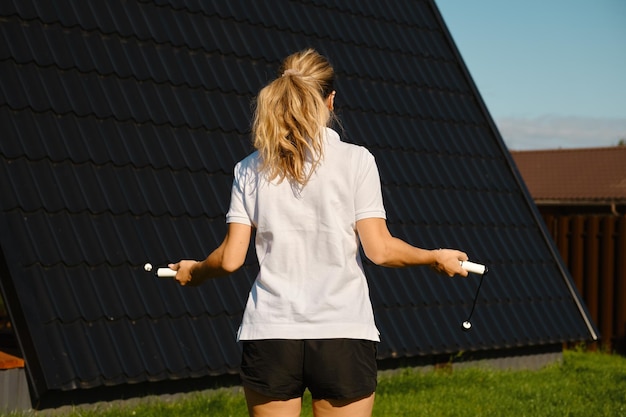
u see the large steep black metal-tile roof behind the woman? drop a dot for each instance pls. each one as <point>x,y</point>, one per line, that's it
<point>122,122</point>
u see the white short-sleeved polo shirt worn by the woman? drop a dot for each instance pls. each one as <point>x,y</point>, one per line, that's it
<point>311,283</point>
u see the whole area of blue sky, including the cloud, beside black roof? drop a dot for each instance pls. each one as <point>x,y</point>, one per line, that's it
<point>551,72</point>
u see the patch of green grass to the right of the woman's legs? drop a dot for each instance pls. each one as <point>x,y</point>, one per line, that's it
<point>585,384</point>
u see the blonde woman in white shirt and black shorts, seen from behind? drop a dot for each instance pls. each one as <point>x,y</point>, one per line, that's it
<point>308,322</point>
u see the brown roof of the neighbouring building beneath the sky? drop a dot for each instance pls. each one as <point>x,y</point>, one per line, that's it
<point>574,174</point>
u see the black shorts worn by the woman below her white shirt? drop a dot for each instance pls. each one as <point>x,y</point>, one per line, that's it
<point>333,369</point>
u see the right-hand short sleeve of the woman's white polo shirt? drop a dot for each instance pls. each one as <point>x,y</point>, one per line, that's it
<point>368,198</point>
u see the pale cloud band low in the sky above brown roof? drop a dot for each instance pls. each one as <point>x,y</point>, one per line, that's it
<point>553,132</point>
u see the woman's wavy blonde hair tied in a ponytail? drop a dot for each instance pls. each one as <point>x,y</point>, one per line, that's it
<point>290,115</point>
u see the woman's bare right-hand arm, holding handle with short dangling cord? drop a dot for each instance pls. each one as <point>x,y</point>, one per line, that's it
<point>384,249</point>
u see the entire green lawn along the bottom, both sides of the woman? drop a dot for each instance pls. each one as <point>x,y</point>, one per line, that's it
<point>583,384</point>
